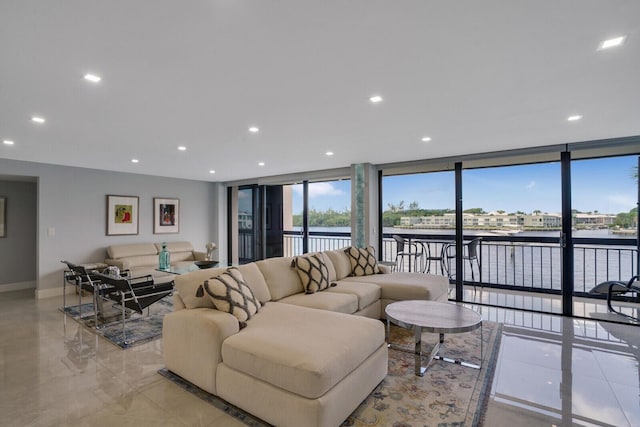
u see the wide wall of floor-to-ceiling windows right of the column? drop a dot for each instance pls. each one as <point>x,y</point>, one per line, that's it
<point>549,225</point>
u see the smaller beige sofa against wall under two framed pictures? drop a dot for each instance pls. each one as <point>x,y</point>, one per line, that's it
<point>142,258</point>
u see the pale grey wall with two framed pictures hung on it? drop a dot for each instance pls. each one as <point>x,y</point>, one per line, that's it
<point>72,202</point>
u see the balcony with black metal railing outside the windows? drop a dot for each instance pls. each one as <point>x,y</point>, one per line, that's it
<point>517,271</point>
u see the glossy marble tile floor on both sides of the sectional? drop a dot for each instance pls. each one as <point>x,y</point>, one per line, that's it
<point>552,371</point>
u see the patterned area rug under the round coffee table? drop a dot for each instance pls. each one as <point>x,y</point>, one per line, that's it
<point>448,395</point>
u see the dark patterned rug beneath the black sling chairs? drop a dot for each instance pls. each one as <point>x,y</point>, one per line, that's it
<point>138,328</point>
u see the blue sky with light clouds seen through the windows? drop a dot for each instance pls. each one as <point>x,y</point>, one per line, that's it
<point>606,185</point>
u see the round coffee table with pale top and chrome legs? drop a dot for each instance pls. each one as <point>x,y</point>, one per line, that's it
<point>435,317</point>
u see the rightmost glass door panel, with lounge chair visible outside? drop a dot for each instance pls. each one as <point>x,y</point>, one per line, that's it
<point>605,224</point>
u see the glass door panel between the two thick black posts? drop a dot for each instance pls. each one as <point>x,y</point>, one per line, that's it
<point>514,213</point>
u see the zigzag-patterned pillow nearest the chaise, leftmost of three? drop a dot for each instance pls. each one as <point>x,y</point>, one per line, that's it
<point>230,293</point>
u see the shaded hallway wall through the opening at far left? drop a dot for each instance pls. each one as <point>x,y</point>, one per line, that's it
<point>18,248</point>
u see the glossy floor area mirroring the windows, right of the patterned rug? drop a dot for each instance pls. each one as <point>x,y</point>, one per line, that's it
<point>585,373</point>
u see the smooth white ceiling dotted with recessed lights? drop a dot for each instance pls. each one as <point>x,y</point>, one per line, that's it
<point>476,76</point>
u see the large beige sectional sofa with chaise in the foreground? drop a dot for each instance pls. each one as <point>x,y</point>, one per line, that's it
<point>302,359</point>
